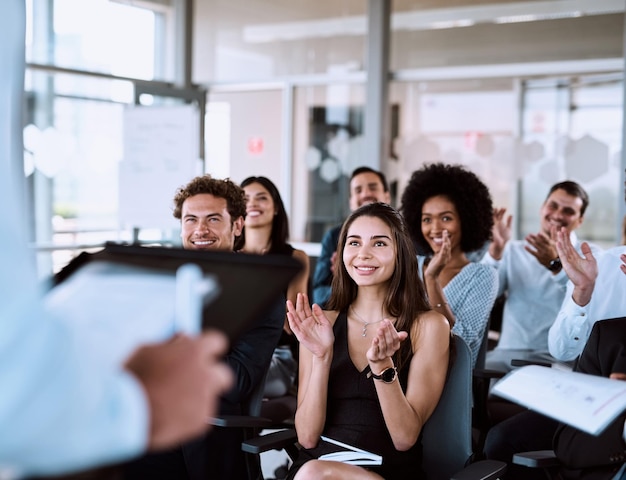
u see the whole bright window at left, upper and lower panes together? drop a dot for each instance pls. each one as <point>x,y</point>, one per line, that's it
<point>74,113</point>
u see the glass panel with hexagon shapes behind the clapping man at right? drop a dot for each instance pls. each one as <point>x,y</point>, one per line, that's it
<point>575,125</point>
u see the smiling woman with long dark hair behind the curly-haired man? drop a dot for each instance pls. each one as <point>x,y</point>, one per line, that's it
<point>266,231</point>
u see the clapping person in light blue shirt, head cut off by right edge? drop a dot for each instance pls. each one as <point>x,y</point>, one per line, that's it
<point>596,291</point>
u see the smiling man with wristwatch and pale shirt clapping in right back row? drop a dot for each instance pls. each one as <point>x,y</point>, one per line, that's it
<point>531,276</point>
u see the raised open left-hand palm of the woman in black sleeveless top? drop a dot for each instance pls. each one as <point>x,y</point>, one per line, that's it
<point>310,326</point>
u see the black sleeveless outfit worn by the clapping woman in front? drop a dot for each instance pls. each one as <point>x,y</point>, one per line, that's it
<point>354,416</point>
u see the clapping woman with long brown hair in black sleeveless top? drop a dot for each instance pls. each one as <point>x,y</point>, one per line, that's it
<point>373,366</point>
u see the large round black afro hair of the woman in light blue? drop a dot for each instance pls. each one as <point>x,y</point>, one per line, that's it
<point>469,194</point>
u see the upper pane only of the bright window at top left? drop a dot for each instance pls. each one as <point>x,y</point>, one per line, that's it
<point>102,36</point>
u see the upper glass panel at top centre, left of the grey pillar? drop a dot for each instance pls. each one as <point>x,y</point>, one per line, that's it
<point>247,41</point>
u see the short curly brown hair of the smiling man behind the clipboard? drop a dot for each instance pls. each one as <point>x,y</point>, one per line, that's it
<point>226,189</point>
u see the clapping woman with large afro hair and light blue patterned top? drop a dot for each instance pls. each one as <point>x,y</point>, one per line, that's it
<point>449,213</point>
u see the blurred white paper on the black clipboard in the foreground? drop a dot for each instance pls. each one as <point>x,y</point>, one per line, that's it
<point>118,307</point>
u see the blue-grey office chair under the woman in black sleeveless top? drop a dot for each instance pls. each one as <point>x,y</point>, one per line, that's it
<point>447,436</point>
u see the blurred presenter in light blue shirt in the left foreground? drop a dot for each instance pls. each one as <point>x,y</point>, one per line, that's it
<point>62,408</point>
